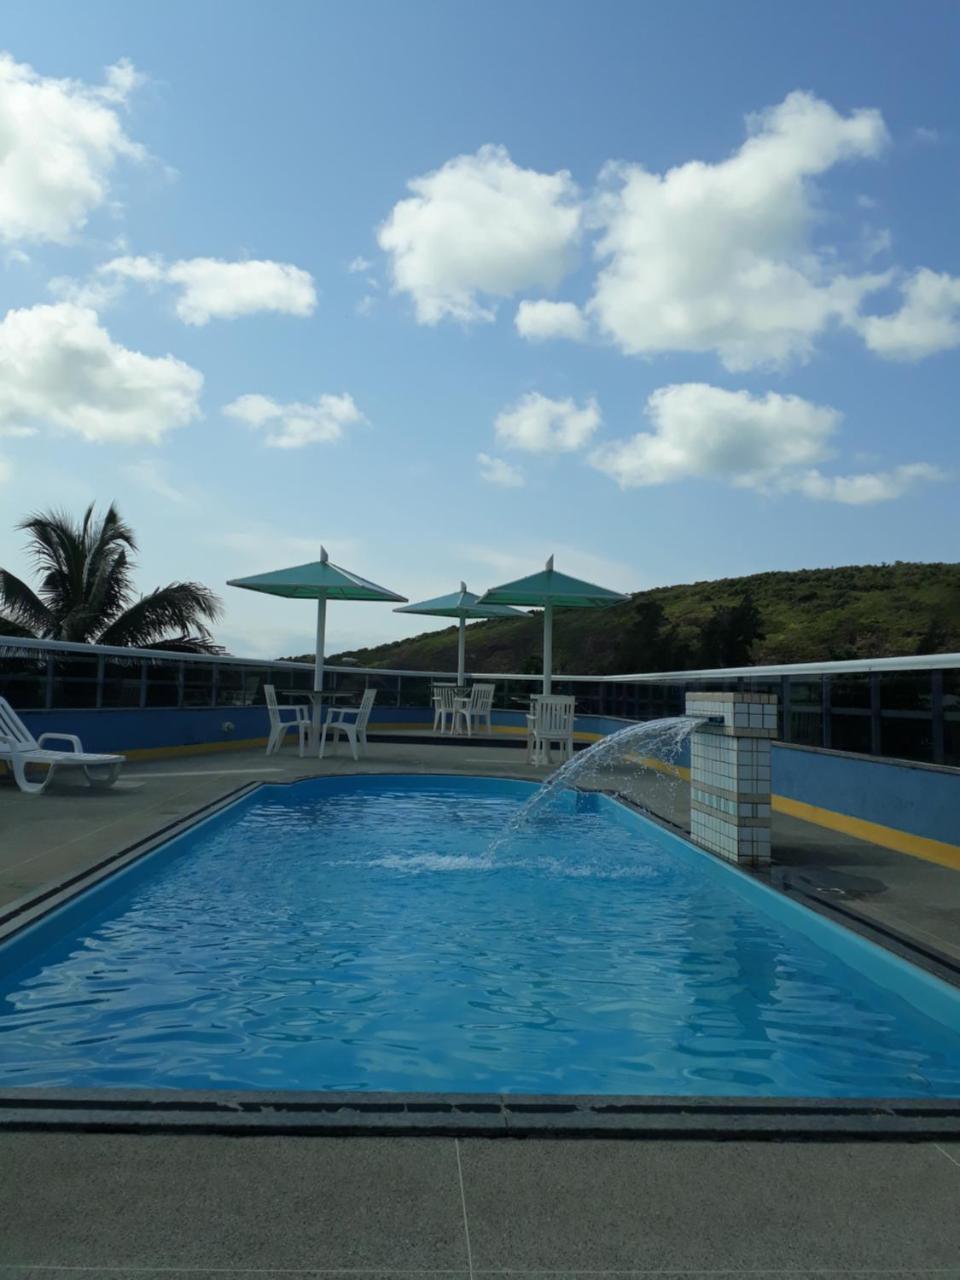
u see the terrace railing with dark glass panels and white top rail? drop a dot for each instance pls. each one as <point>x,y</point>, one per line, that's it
<point>906,707</point>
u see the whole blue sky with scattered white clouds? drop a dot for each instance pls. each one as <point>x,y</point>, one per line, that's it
<point>685,276</point>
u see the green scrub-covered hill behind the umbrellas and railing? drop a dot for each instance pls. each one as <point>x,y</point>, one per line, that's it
<point>860,611</point>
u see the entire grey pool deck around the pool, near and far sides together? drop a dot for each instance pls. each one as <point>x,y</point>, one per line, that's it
<point>200,1206</point>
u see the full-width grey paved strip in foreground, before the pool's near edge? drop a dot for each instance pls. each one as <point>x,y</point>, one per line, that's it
<point>124,1208</point>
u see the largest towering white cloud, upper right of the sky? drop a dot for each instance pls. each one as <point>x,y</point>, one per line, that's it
<point>717,258</point>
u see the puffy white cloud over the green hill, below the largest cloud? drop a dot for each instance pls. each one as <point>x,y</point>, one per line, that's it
<point>702,431</point>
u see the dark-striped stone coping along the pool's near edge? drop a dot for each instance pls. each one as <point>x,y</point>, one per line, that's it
<point>482,1116</point>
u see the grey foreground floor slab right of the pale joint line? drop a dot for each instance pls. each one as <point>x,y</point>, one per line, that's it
<point>673,1206</point>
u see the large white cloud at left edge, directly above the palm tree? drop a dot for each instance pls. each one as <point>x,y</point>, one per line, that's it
<point>61,368</point>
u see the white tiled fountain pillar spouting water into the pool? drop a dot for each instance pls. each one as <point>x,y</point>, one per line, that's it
<point>730,775</point>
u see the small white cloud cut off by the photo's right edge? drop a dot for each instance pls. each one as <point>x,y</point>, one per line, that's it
<point>927,322</point>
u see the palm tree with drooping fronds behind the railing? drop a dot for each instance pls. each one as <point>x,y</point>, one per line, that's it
<point>86,591</point>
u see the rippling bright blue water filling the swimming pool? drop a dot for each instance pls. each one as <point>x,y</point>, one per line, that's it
<point>358,934</point>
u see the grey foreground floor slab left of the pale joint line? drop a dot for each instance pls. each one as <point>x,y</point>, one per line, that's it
<point>193,1203</point>
